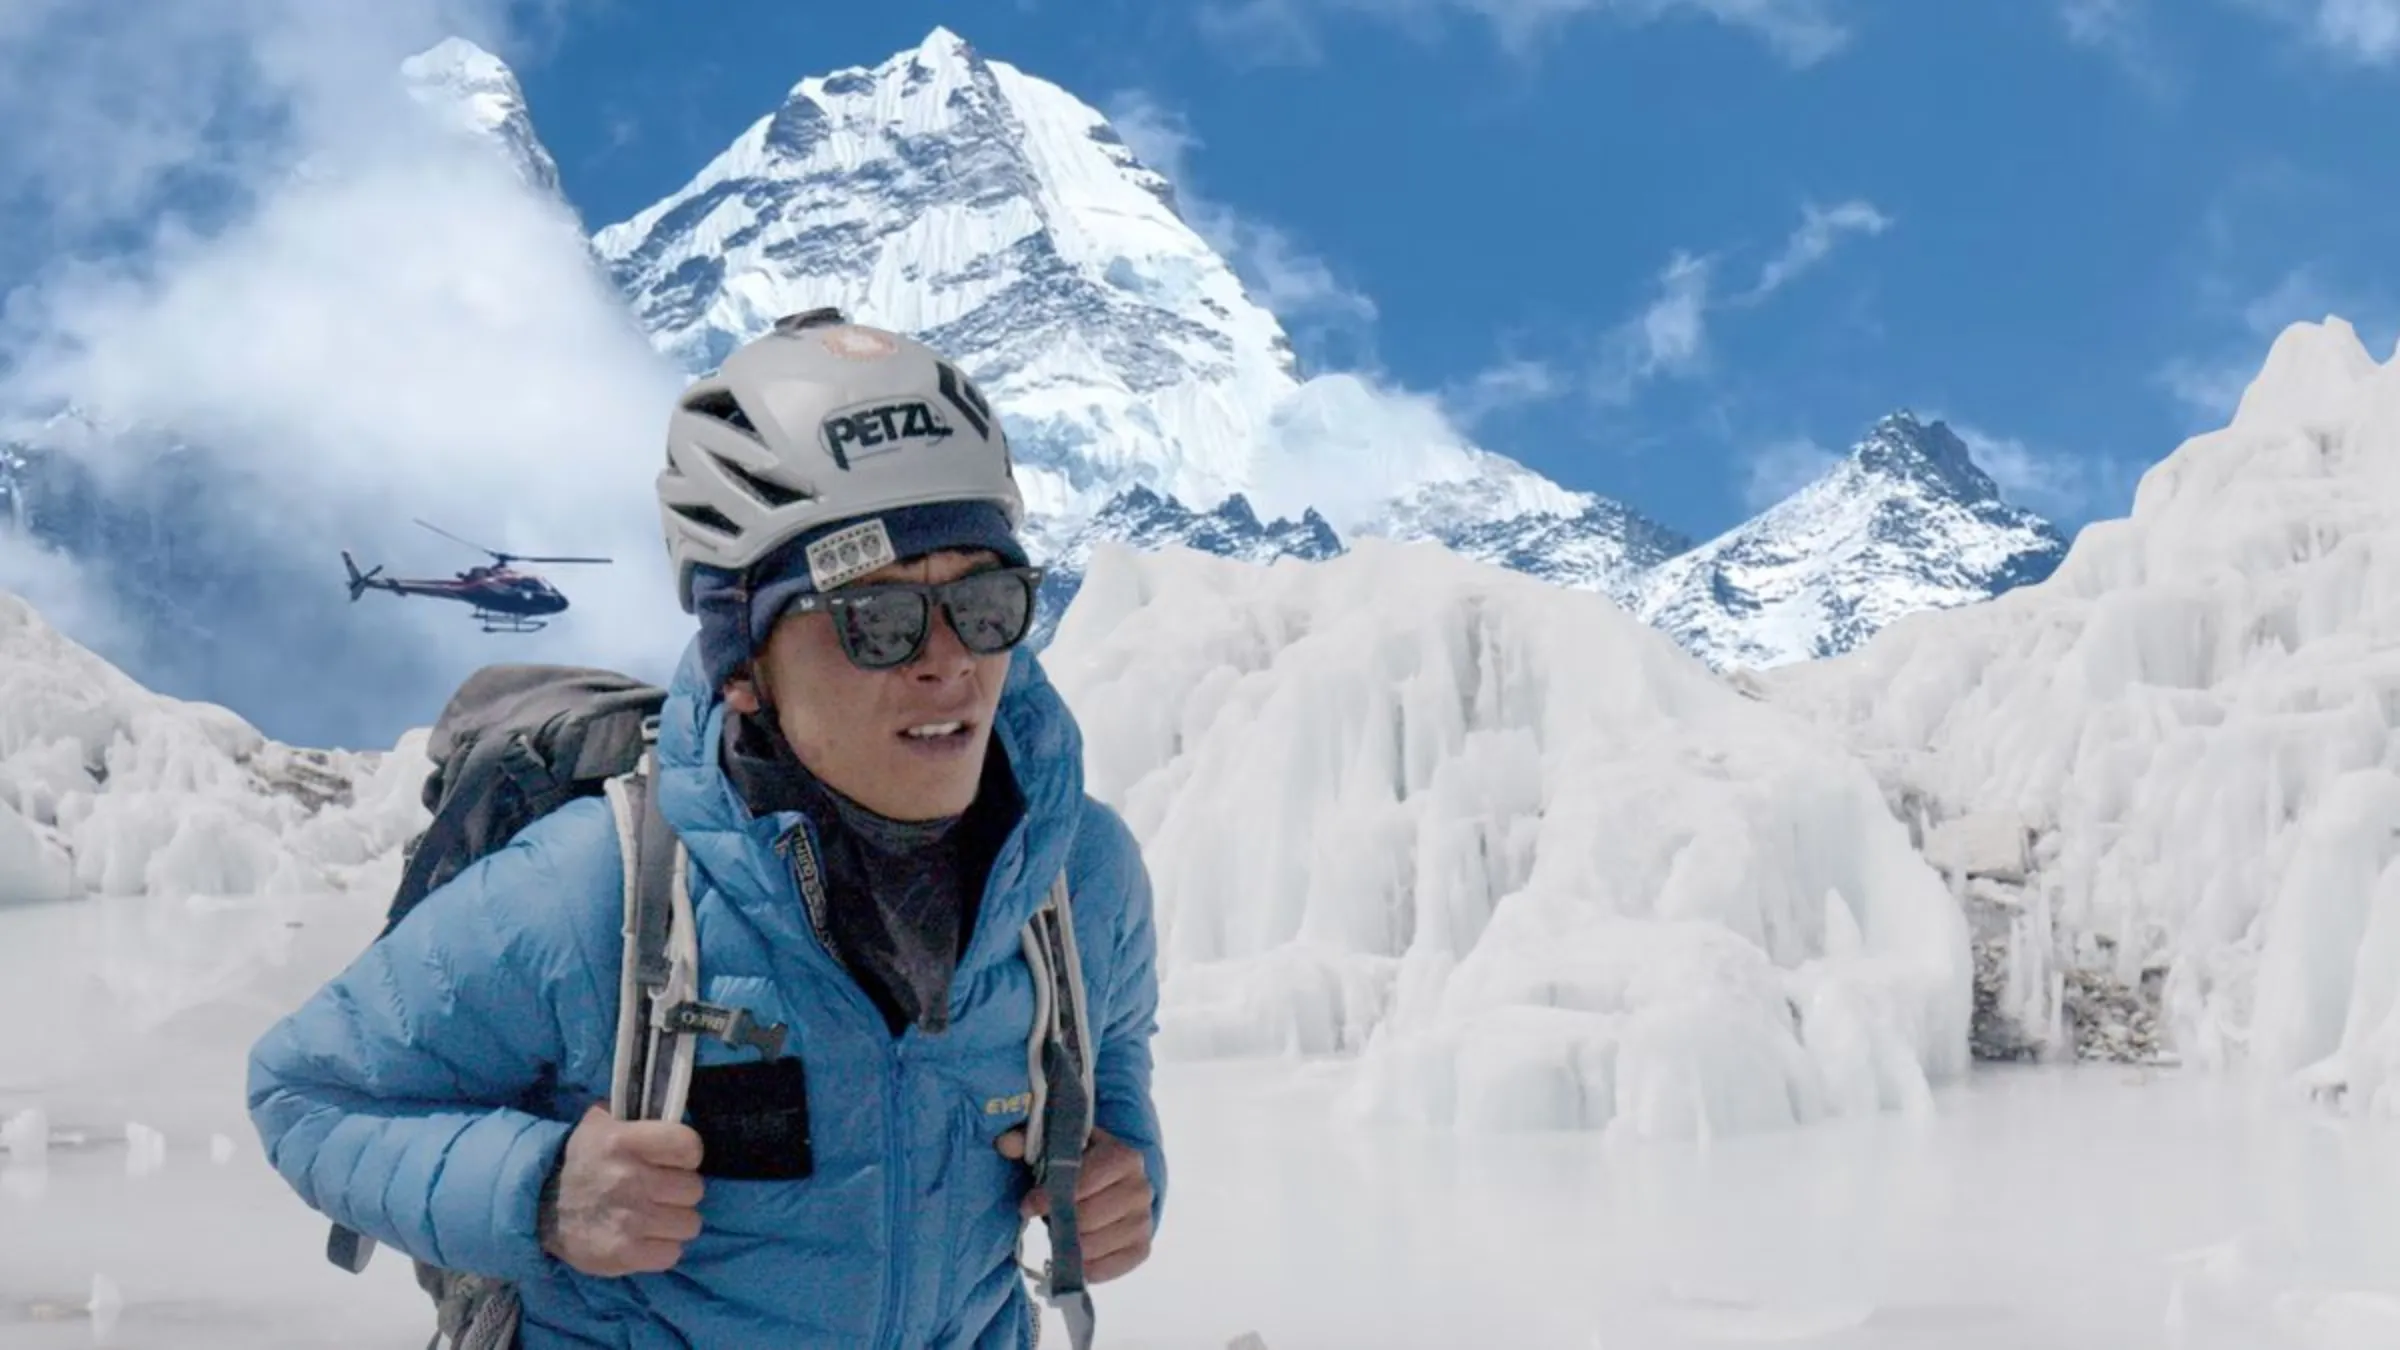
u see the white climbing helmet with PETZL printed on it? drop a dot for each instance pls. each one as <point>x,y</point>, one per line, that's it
<point>822,422</point>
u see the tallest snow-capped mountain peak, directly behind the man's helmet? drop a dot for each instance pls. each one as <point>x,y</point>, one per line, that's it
<point>1009,225</point>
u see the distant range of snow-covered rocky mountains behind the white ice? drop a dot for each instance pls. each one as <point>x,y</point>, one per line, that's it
<point>1146,395</point>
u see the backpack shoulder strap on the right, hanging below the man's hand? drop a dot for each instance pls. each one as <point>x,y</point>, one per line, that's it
<point>1062,1063</point>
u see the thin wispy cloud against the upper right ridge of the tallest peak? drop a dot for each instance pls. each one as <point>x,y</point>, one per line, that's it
<point>1295,285</point>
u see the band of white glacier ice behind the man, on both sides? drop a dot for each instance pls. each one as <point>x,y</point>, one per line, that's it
<point>1535,866</point>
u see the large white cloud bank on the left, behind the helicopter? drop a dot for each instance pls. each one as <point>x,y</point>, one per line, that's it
<point>376,318</point>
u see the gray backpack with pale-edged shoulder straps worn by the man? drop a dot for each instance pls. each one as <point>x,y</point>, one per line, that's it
<point>517,743</point>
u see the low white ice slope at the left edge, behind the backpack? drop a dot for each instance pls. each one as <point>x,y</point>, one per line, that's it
<point>112,789</point>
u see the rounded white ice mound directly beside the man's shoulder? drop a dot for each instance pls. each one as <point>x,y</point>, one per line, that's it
<point>1525,854</point>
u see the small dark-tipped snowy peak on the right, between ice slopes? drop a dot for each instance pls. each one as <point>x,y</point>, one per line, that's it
<point>1907,522</point>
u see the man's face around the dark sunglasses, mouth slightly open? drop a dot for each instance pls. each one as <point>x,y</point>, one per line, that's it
<point>904,743</point>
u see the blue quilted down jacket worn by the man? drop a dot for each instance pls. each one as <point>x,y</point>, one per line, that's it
<point>426,1094</point>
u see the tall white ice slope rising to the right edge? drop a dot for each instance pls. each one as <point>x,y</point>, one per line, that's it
<point>2168,772</point>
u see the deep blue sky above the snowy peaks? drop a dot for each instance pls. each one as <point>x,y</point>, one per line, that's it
<point>1679,251</point>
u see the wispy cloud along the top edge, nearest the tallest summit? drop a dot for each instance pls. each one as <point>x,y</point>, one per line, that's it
<point>1801,32</point>
